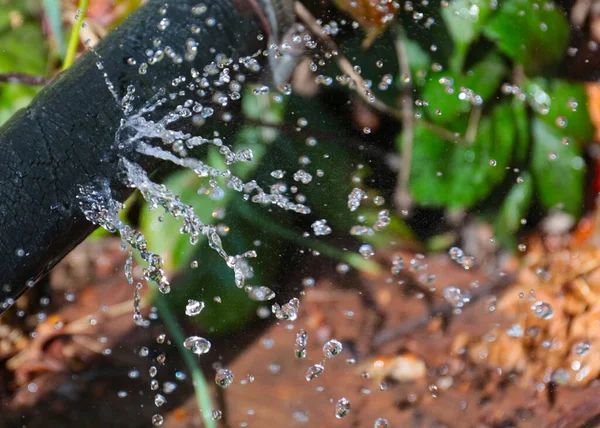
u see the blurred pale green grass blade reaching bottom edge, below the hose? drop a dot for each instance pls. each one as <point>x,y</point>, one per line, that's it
<point>199,381</point>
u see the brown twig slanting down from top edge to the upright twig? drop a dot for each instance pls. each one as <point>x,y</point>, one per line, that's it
<point>310,21</point>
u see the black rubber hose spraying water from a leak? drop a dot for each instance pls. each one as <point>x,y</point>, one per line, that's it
<point>66,137</point>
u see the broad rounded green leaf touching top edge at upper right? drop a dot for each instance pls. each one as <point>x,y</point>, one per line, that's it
<point>533,33</point>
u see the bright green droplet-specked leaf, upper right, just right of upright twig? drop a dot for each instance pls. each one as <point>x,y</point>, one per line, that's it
<point>443,89</point>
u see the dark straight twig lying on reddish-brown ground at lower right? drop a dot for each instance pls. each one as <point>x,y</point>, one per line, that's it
<point>494,285</point>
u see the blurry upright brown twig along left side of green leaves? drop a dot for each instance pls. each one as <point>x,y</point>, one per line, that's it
<point>403,197</point>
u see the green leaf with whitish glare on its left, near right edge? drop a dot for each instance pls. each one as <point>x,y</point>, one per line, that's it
<point>561,105</point>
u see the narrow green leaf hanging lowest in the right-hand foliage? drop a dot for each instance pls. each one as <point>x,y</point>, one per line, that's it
<point>514,208</point>
